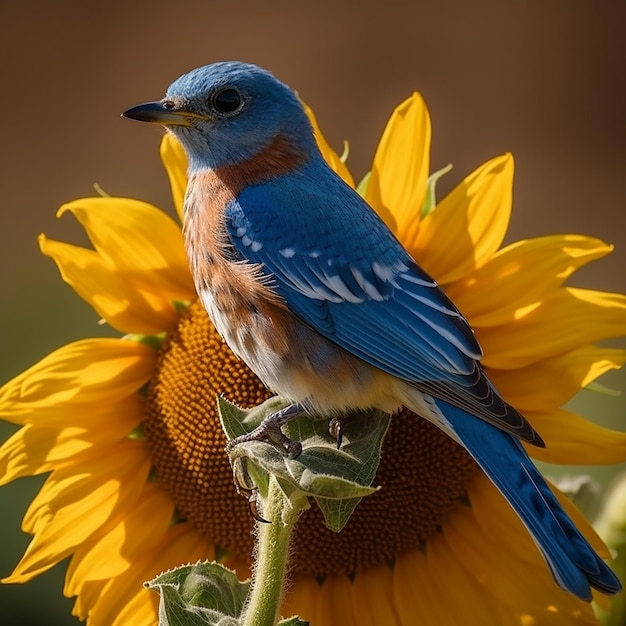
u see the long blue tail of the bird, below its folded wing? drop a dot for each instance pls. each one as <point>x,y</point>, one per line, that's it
<point>574,564</point>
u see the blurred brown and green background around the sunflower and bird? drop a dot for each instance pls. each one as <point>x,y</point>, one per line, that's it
<point>544,80</point>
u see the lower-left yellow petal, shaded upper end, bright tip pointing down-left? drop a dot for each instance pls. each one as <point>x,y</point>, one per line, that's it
<point>138,533</point>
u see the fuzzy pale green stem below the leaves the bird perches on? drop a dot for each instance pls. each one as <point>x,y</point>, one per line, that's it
<point>272,556</point>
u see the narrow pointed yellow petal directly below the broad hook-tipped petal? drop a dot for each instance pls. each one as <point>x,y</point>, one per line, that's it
<point>110,292</point>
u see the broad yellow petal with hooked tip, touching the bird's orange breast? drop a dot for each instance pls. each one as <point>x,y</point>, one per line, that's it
<point>137,240</point>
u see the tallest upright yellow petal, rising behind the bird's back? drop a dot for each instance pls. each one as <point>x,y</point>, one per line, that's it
<point>397,186</point>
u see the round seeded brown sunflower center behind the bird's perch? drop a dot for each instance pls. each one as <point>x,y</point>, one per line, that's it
<point>423,473</point>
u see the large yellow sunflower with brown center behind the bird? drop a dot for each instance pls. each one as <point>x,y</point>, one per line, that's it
<point>128,428</point>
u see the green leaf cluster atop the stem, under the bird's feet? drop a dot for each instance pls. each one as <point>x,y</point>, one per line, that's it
<point>336,478</point>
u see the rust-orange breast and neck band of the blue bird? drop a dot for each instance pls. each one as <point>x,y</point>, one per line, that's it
<point>238,292</point>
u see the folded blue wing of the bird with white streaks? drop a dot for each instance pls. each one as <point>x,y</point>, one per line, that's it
<point>340,269</point>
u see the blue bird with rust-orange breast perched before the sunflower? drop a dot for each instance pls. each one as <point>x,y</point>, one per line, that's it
<point>310,288</point>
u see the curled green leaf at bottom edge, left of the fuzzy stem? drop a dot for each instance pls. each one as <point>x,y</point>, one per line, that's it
<point>199,595</point>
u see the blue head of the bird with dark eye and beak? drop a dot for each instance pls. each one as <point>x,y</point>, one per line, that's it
<point>228,112</point>
